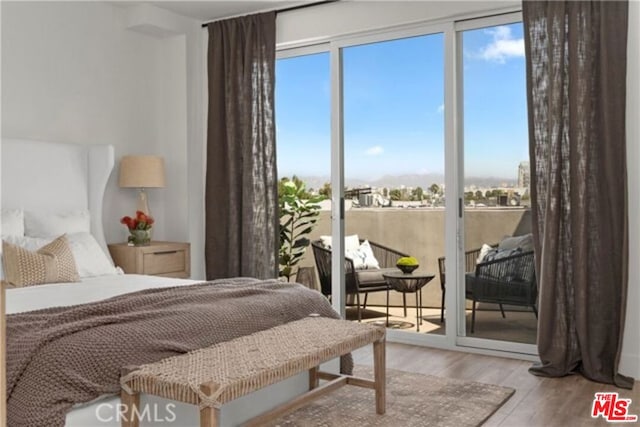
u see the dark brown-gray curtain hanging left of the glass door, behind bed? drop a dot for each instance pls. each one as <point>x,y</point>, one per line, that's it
<point>241,182</point>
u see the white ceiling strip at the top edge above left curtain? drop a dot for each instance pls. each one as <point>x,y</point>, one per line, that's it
<point>212,10</point>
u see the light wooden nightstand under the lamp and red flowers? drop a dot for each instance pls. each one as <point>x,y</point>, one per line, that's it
<point>168,259</point>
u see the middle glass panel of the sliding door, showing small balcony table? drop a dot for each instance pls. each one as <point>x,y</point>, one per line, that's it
<point>393,109</point>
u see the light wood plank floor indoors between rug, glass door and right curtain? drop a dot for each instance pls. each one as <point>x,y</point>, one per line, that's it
<point>537,401</point>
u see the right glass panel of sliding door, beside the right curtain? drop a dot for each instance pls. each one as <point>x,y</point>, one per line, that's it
<point>499,298</point>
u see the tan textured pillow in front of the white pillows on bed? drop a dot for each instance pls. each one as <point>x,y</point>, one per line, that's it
<point>52,263</point>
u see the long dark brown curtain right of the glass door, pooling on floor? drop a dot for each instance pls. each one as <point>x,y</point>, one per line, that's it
<point>576,74</point>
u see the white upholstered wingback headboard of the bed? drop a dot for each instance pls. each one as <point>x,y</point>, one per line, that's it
<point>56,177</point>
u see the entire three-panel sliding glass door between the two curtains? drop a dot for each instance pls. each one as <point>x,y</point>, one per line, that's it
<point>417,139</point>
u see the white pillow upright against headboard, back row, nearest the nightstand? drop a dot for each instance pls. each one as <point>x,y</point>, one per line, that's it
<point>54,224</point>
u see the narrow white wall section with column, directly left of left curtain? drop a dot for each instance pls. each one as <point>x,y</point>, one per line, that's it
<point>181,109</point>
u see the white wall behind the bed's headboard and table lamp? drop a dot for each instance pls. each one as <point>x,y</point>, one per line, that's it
<point>72,73</point>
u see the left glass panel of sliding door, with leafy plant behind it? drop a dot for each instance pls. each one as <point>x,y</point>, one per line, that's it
<point>303,135</point>
